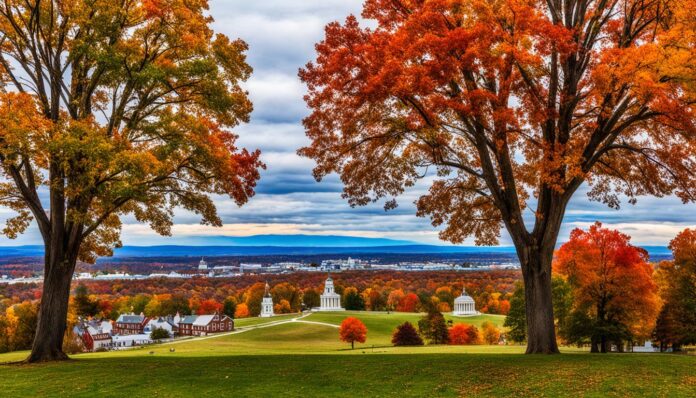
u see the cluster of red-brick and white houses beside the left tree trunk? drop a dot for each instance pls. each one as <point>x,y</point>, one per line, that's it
<point>131,330</point>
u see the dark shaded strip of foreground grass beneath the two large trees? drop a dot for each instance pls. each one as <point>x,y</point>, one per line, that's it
<point>385,375</point>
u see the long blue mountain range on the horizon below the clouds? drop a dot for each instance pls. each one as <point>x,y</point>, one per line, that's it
<point>259,245</point>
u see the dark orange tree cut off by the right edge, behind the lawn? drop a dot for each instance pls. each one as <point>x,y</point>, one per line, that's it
<point>676,323</point>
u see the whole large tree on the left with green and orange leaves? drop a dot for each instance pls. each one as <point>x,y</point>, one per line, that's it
<point>114,108</point>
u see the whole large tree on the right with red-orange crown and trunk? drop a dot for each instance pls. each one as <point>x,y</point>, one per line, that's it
<point>509,107</point>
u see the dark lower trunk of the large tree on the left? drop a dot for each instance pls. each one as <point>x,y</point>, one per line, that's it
<point>53,311</point>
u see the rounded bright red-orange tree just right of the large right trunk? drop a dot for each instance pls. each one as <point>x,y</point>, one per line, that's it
<point>614,296</point>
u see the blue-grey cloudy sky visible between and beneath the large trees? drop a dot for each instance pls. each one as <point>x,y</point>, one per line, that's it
<point>281,35</point>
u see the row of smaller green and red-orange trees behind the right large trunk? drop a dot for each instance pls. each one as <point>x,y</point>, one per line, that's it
<point>605,293</point>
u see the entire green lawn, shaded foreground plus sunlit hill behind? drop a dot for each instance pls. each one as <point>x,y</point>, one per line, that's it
<point>281,357</point>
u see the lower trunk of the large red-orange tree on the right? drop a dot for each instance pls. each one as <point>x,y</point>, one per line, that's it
<point>541,333</point>
